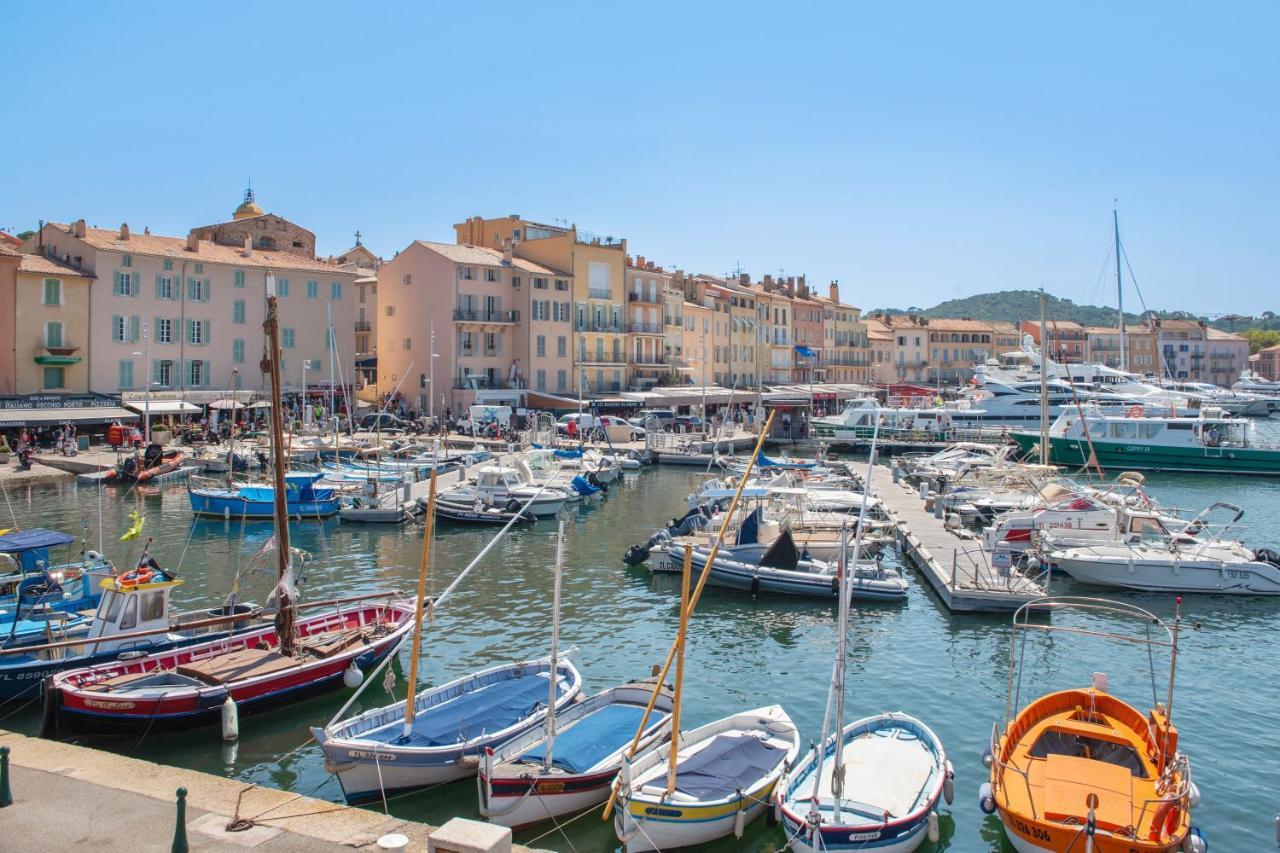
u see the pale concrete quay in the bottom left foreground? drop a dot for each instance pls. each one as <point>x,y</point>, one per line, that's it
<point>68,797</point>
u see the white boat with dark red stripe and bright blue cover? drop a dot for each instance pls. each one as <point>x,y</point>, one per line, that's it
<point>542,774</point>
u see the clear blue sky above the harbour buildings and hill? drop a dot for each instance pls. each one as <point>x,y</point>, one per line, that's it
<point>916,152</point>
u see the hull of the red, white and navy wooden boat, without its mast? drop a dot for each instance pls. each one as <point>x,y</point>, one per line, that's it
<point>188,687</point>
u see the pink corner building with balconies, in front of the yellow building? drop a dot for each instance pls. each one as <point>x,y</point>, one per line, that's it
<point>502,327</point>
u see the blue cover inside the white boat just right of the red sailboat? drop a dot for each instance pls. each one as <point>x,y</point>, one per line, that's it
<point>490,709</point>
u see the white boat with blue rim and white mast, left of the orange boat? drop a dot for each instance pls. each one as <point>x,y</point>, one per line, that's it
<point>888,772</point>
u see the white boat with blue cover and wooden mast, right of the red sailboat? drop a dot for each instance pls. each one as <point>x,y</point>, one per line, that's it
<point>438,736</point>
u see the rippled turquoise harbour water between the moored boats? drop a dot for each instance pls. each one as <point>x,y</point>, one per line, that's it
<point>952,672</point>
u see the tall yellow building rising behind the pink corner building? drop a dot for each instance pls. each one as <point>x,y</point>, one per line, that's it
<point>596,272</point>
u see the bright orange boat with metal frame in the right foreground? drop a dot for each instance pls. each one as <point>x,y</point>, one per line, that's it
<point>1082,770</point>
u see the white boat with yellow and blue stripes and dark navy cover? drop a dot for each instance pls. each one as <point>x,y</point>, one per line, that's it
<point>725,774</point>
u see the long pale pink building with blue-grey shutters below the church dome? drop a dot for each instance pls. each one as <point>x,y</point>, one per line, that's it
<point>186,314</point>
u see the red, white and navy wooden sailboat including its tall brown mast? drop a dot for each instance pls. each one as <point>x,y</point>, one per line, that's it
<point>254,670</point>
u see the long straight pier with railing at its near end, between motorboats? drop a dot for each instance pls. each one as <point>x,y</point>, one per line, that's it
<point>957,568</point>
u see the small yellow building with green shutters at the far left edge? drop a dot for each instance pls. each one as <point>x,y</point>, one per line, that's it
<point>48,349</point>
